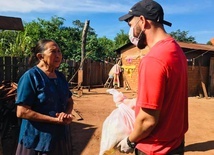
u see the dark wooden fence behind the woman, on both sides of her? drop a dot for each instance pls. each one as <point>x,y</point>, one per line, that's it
<point>95,73</point>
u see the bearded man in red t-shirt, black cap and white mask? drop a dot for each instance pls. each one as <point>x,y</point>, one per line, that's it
<point>162,101</point>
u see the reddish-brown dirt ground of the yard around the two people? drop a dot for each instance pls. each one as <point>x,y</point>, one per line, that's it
<point>93,107</point>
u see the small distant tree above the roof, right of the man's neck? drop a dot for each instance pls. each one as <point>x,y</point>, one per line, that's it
<point>182,36</point>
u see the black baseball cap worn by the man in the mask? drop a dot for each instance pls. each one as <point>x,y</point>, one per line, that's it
<point>150,9</point>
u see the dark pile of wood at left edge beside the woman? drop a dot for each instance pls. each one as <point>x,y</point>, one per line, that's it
<point>9,123</point>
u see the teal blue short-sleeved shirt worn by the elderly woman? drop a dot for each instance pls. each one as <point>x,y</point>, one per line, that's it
<point>47,96</point>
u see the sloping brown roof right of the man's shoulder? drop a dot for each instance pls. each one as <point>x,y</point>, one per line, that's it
<point>197,46</point>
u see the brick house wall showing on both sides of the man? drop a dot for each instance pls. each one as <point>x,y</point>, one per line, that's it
<point>131,57</point>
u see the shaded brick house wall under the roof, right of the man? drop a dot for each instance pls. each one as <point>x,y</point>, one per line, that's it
<point>199,59</point>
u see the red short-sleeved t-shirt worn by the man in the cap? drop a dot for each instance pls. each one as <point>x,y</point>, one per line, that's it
<point>162,85</point>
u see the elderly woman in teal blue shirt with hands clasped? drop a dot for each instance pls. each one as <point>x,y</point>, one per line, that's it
<point>45,105</point>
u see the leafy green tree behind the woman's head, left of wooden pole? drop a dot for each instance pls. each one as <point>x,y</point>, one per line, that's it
<point>68,38</point>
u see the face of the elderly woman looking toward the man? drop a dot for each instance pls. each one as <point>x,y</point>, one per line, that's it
<point>52,55</point>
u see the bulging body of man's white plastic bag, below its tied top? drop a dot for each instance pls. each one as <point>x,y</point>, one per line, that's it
<point>116,127</point>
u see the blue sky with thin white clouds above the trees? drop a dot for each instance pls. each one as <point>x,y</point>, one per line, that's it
<point>194,16</point>
